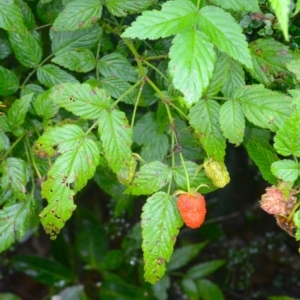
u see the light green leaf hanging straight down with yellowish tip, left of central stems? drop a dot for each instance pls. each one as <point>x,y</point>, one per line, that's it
<point>116,136</point>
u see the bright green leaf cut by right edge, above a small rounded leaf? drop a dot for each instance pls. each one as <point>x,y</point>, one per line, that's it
<point>287,138</point>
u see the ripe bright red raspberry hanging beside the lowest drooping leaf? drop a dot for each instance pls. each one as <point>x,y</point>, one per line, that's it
<point>192,209</point>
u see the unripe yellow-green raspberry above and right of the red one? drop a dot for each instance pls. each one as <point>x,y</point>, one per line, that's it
<point>216,171</point>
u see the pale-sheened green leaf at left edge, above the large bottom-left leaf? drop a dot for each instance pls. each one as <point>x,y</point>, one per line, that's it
<point>15,175</point>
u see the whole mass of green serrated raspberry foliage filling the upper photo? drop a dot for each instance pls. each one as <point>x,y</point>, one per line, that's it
<point>87,95</point>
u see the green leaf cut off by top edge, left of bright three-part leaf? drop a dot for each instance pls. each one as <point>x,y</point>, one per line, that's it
<point>121,8</point>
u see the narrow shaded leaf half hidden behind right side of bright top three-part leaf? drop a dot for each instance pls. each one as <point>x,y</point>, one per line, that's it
<point>220,74</point>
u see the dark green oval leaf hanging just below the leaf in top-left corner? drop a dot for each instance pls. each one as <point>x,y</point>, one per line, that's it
<point>27,49</point>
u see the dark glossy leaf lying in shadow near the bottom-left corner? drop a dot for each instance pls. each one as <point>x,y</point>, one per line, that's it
<point>46,271</point>
